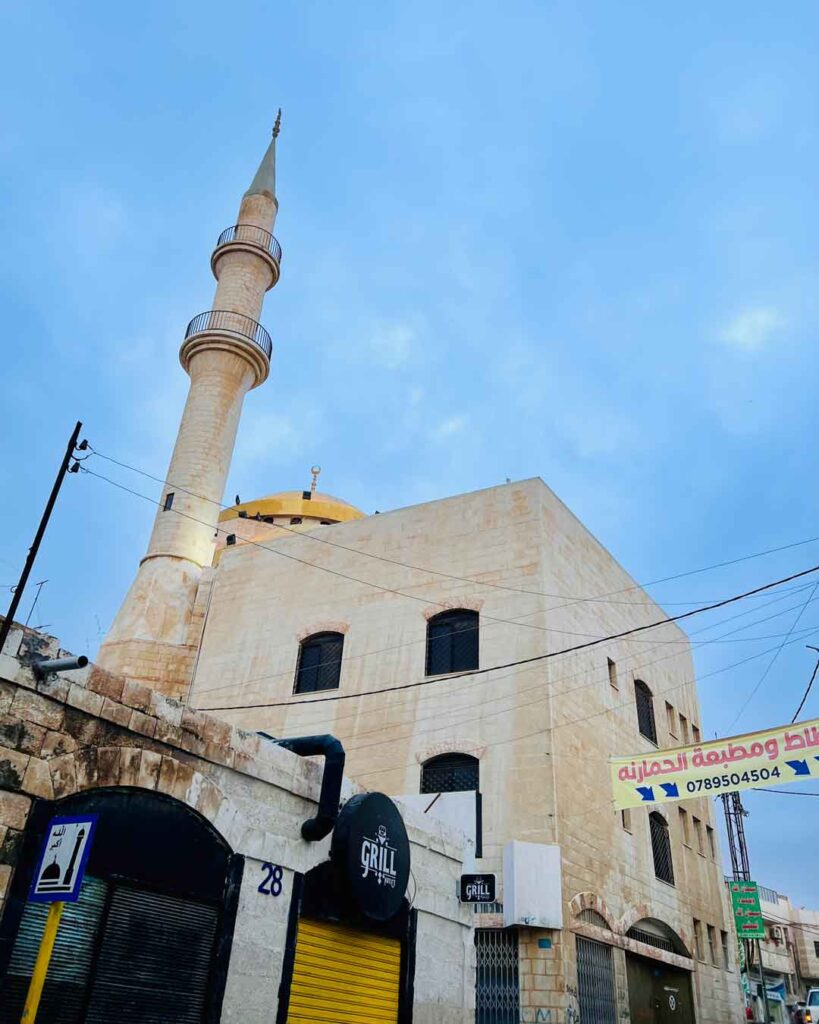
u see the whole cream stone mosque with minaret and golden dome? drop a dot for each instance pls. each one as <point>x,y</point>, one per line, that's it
<point>426,641</point>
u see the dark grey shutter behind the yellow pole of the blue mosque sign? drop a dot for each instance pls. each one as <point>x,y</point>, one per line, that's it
<point>64,995</point>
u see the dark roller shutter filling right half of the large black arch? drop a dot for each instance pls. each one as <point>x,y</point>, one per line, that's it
<point>155,960</point>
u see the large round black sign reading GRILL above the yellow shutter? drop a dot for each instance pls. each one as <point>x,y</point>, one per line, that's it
<point>372,850</point>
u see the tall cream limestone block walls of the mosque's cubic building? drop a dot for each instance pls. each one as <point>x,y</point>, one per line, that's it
<point>543,731</point>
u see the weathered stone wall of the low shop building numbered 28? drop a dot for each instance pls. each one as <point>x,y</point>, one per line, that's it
<point>92,729</point>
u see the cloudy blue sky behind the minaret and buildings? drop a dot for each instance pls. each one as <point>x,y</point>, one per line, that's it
<point>568,240</point>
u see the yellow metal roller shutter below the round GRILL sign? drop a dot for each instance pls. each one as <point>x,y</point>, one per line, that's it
<point>343,976</point>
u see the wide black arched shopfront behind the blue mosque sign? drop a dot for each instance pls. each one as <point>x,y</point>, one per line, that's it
<point>150,938</point>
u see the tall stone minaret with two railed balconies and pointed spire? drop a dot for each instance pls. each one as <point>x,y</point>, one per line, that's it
<point>226,353</point>
